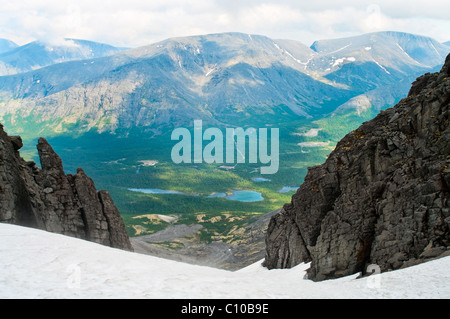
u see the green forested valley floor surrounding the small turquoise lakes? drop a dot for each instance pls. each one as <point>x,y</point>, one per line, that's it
<point>115,163</point>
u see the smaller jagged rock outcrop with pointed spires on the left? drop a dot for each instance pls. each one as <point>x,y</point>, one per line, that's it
<point>48,199</point>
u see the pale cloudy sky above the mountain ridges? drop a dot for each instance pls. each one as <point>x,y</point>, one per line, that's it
<point>134,23</point>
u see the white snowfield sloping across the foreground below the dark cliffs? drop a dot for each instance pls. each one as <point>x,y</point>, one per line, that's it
<point>39,264</point>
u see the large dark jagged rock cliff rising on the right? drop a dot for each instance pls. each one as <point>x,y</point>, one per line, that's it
<point>382,196</point>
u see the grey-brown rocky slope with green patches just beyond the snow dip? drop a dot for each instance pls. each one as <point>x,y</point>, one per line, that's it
<point>181,243</point>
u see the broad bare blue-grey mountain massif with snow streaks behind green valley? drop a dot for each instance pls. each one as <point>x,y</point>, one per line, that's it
<point>220,78</point>
